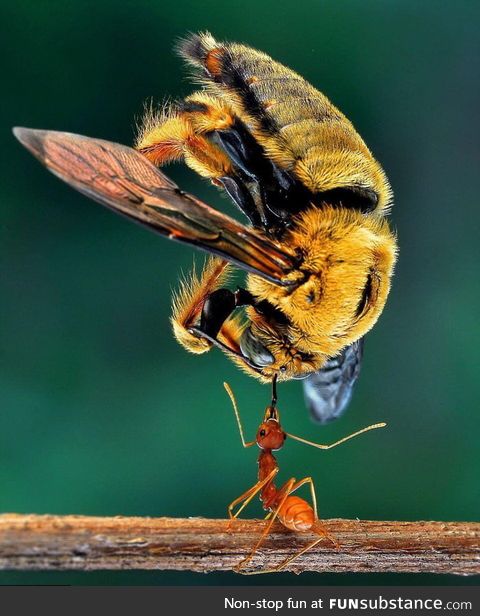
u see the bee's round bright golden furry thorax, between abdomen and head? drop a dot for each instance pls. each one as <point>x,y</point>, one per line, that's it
<point>348,261</point>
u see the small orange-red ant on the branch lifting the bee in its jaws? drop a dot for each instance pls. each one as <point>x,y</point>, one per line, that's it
<point>293,512</point>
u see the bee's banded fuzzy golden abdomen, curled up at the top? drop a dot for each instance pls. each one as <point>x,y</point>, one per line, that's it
<point>299,129</point>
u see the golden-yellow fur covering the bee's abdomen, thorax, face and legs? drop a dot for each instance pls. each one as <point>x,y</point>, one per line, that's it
<point>343,250</point>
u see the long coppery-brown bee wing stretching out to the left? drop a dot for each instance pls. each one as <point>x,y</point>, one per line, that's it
<point>122,179</point>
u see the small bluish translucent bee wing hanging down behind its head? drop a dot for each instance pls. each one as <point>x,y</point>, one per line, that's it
<point>328,391</point>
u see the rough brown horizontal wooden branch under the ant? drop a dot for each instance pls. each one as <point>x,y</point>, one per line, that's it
<point>196,544</point>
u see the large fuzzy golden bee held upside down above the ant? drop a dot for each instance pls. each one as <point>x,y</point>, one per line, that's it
<point>318,250</point>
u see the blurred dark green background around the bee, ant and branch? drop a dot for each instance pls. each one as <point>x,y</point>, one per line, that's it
<point>101,412</point>
